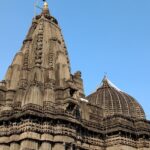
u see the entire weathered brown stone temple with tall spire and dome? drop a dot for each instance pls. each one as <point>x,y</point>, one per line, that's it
<point>43,106</point>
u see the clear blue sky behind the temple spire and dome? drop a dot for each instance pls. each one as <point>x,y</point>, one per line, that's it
<point>102,36</point>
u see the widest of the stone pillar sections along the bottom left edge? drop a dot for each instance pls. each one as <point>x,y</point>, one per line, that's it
<point>26,144</point>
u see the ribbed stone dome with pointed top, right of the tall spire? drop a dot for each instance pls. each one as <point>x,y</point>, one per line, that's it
<point>115,102</point>
